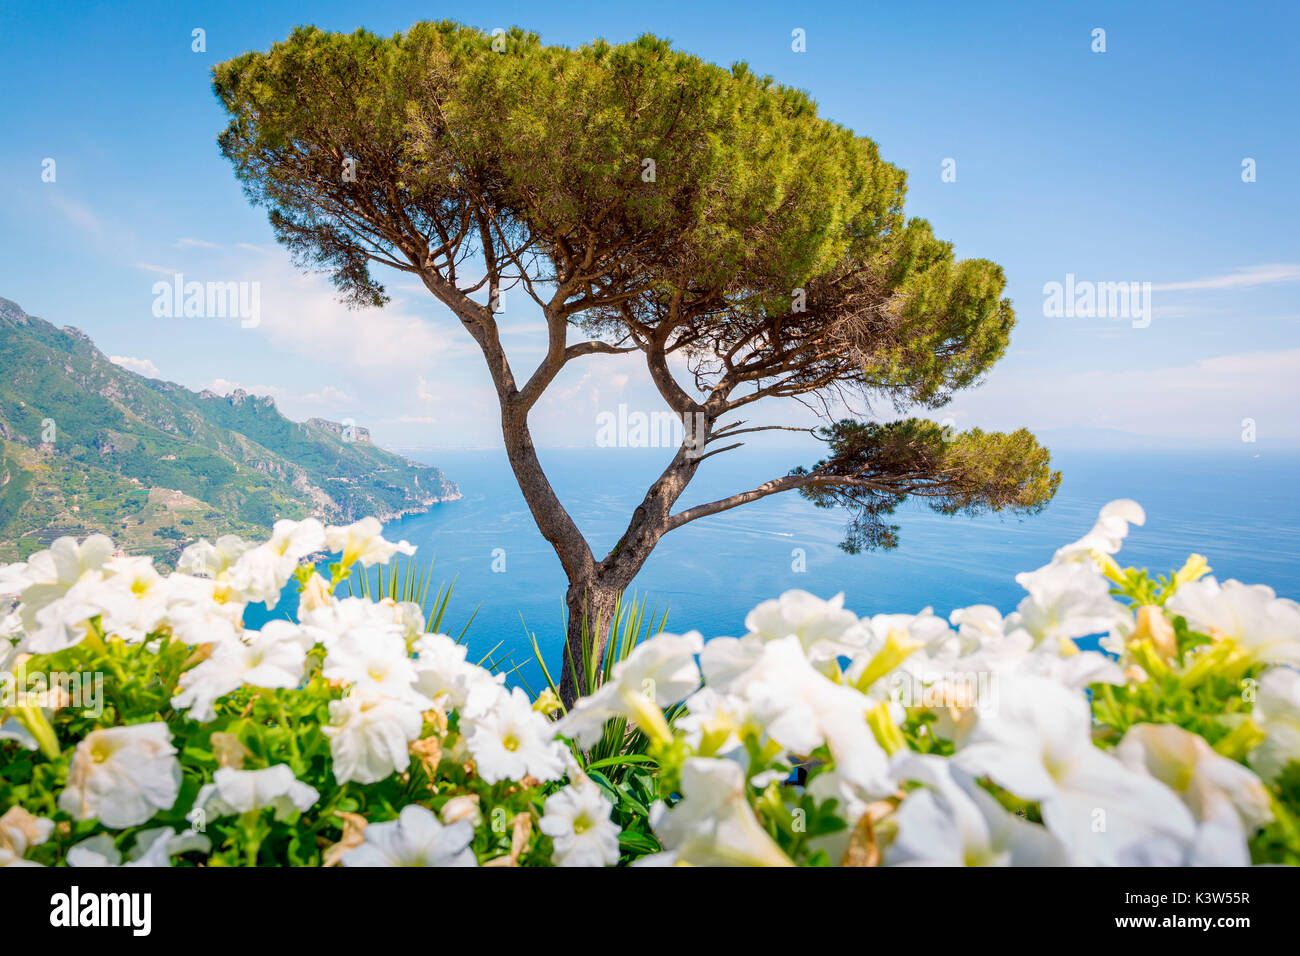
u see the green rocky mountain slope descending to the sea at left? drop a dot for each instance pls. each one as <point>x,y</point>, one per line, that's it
<point>86,447</point>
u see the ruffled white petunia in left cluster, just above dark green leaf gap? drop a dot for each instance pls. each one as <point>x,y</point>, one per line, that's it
<point>271,659</point>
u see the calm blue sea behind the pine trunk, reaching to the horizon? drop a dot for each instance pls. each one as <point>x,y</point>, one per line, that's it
<point>1237,508</point>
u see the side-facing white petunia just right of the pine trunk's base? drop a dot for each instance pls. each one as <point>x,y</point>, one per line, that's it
<point>656,676</point>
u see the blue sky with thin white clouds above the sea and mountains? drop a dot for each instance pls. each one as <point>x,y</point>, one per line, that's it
<point>1113,167</point>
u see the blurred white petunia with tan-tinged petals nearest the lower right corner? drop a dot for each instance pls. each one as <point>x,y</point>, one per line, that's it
<point>1228,801</point>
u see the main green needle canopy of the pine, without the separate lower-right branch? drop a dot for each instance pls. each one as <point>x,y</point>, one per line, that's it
<point>752,198</point>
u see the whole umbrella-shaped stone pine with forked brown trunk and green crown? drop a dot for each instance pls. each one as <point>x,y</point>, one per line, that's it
<point>649,204</point>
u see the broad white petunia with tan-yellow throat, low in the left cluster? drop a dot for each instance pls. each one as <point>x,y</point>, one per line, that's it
<point>123,776</point>
